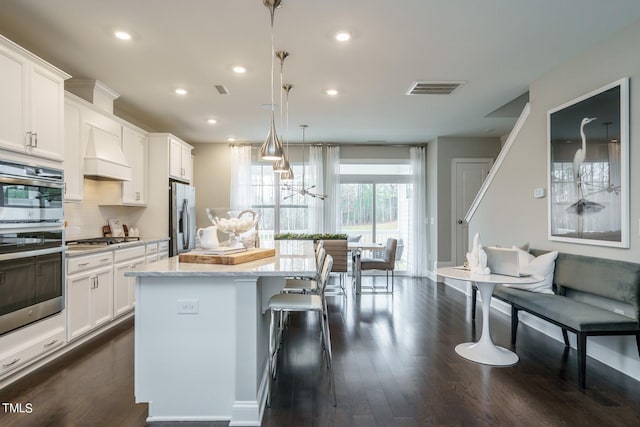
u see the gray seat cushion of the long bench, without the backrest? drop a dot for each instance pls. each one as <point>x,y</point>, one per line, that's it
<point>567,311</point>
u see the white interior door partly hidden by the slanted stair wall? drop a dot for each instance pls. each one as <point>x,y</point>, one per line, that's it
<point>468,175</point>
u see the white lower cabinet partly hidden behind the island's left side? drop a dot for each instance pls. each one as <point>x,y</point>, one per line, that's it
<point>123,287</point>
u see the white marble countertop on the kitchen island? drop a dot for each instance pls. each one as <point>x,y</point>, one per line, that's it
<point>293,258</point>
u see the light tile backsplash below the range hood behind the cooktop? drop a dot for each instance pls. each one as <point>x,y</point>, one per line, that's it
<point>86,219</point>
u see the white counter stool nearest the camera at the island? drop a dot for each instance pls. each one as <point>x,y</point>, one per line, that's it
<point>295,302</point>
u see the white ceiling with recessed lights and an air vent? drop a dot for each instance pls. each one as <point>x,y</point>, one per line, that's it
<point>498,47</point>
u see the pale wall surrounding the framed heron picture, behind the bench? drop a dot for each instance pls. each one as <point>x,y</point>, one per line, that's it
<point>510,215</point>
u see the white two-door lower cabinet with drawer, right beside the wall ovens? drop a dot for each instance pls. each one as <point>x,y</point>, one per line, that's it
<point>89,292</point>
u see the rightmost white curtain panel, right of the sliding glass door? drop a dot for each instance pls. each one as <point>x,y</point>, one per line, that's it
<point>418,259</point>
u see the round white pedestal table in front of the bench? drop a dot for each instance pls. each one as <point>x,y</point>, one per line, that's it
<point>485,351</point>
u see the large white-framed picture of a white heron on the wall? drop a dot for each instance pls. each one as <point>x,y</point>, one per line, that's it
<point>588,169</point>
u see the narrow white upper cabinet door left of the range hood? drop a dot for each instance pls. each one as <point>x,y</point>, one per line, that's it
<point>73,175</point>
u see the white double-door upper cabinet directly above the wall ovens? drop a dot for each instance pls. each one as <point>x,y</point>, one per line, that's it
<point>31,105</point>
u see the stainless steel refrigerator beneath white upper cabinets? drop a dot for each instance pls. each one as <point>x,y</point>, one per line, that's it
<point>182,220</point>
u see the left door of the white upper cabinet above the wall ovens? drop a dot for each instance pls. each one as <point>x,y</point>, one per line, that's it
<point>13,100</point>
